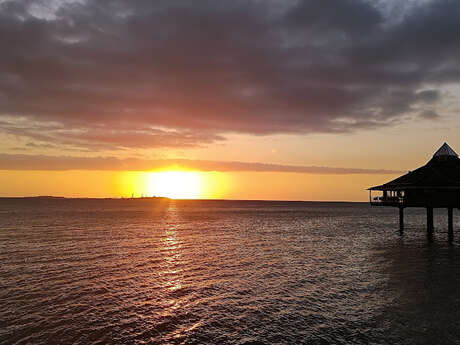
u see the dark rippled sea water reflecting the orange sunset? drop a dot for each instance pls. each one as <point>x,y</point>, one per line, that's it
<point>221,272</point>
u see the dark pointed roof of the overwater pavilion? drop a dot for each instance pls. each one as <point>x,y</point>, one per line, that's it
<point>441,172</point>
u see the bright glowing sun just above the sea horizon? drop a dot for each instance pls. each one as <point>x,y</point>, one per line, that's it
<point>175,184</point>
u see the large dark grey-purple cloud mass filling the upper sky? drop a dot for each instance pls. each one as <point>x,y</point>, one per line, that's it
<point>122,74</point>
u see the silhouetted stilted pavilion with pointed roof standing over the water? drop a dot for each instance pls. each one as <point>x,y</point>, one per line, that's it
<point>434,185</point>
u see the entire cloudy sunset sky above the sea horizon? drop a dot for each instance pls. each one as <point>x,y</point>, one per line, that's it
<point>241,99</point>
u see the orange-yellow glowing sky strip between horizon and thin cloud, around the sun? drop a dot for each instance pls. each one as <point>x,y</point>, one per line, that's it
<point>215,185</point>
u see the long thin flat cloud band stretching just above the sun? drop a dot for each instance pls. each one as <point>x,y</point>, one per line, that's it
<point>60,163</point>
